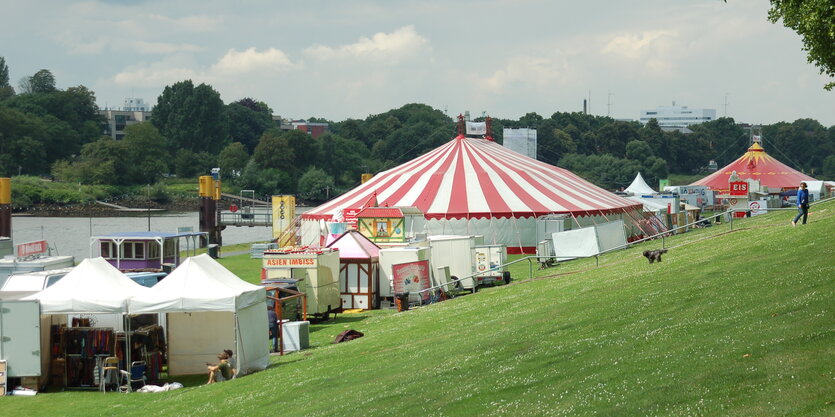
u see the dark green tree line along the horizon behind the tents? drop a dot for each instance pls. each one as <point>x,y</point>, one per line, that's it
<point>46,131</point>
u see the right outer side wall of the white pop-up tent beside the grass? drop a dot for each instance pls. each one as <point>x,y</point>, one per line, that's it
<point>252,325</point>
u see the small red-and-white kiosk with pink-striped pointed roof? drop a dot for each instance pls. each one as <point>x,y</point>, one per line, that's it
<point>358,270</point>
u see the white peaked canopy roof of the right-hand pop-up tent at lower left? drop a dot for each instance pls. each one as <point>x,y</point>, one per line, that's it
<point>198,284</point>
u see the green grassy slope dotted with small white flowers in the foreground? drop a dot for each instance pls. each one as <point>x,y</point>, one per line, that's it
<point>734,323</point>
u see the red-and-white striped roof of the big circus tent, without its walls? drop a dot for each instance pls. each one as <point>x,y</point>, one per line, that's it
<point>477,178</point>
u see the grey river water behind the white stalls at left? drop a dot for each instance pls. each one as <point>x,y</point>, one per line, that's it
<point>71,235</point>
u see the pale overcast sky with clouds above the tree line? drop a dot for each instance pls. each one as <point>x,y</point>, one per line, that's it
<point>351,59</point>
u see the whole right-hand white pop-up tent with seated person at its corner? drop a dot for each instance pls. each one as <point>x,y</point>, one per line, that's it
<point>209,309</point>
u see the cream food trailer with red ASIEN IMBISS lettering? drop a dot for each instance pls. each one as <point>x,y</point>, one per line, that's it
<point>315,273</point>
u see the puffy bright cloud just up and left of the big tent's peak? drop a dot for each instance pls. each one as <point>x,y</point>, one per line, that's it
<point>402,43</point>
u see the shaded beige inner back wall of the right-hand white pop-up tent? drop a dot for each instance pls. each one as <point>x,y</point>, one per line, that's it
<point>197,338</point>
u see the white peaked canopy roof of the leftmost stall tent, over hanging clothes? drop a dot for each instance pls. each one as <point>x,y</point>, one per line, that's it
<point>94,286</point>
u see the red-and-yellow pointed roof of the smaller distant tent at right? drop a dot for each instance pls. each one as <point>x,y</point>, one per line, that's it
<point>756,164</point>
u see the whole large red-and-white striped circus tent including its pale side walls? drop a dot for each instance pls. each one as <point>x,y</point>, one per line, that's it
<point>474,186</point>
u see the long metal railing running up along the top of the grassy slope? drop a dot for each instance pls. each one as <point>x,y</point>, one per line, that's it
<point>434,290</point>
